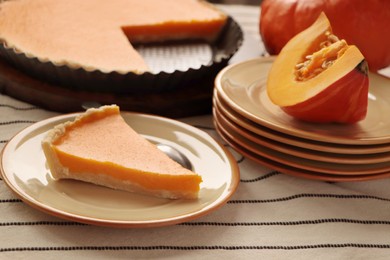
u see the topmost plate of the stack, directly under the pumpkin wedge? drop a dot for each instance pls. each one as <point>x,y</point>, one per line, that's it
<point>243,87</point>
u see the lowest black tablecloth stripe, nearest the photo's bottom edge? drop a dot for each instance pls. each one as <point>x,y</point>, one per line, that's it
<point>192,248</point>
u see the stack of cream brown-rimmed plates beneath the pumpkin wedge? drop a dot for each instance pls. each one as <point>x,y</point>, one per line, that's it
<point>248,121</point>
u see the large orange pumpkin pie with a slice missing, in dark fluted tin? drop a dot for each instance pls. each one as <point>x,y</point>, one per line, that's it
<point>98,34</point>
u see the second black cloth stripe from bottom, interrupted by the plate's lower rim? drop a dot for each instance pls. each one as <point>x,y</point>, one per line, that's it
<point>224,224</point>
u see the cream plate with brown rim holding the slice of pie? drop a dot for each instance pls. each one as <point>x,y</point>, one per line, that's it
<point>24,170</point>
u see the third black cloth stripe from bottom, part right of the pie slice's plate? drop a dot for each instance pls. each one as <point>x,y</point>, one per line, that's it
<point>308,195</point>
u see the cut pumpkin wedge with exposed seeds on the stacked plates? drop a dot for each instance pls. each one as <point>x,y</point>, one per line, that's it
<point>319,78</point>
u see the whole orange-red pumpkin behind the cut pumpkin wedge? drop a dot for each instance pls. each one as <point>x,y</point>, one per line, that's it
<point>364,23</point>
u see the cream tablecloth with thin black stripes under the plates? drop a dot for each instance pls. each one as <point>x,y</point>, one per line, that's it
<point>272,215</point>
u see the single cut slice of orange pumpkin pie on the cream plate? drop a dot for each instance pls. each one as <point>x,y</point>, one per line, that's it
<point>101,148</point>
